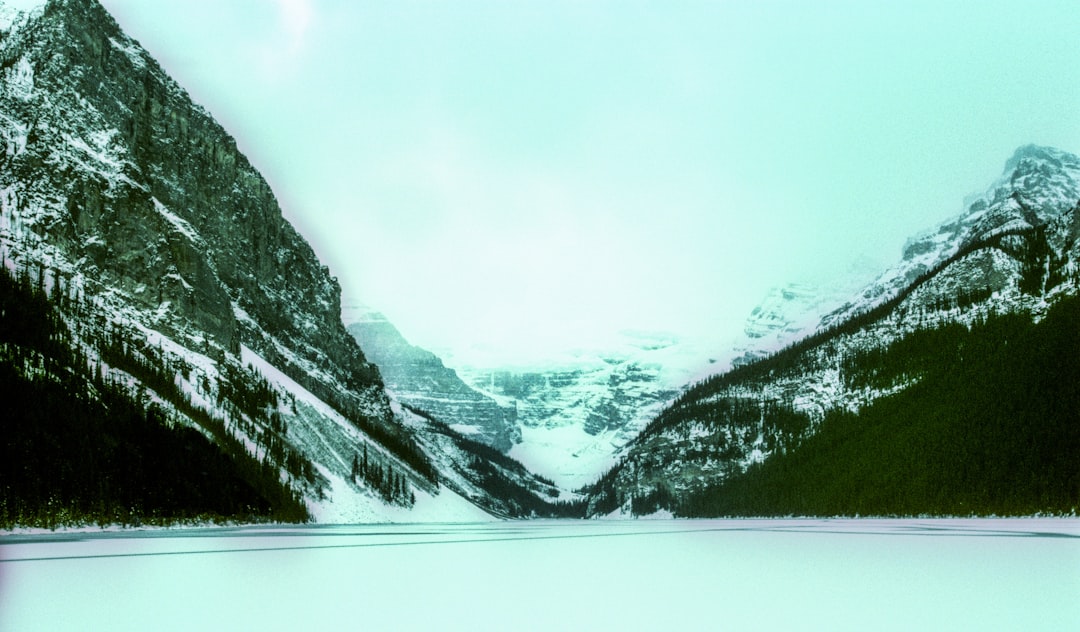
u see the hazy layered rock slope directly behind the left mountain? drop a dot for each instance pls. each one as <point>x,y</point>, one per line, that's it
<point>418,379</point>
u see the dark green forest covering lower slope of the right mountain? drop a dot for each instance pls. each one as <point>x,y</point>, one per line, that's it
<point>993,427</point>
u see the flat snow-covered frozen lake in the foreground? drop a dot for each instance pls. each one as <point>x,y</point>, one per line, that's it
<point>646,575</point>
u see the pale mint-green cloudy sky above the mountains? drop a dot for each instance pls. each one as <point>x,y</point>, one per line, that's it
<point>531,177</point>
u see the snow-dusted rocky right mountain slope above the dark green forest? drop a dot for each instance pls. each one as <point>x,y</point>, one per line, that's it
<point>1015,250</point>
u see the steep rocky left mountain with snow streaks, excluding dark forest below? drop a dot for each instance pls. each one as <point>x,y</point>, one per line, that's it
<point>138,216</point>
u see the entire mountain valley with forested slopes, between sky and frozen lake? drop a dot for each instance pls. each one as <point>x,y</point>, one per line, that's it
<point>172,349</point>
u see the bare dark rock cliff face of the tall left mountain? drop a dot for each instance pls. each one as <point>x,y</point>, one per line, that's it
<point>111,164</point>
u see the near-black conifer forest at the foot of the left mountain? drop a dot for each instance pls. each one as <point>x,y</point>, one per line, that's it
<point>78,449</point>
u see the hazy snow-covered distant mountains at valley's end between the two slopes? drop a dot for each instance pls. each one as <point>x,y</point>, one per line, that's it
<point>565,423</point>
